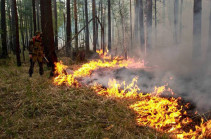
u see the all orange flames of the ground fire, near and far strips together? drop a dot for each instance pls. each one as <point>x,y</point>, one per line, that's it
<point>164,114</point>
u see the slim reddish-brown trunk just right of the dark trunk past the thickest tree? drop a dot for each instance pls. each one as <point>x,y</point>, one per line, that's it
<point>76,25</point>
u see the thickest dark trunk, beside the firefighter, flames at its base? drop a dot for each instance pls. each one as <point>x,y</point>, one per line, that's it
<point>48,35</point>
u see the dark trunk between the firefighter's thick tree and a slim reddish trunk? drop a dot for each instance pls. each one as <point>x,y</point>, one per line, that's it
<point>68,30</point>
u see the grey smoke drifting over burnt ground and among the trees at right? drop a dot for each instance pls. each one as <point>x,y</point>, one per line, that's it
<point>173,62</point>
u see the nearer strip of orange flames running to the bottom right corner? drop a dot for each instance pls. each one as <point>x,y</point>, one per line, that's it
<point>163,114</point>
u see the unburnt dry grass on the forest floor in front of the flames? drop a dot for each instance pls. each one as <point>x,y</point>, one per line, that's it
<point>36,108</point>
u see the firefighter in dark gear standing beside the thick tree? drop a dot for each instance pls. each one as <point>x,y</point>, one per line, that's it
<point>36,53</point>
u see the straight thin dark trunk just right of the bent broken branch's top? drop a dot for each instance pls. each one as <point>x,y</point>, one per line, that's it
<point>109,25</point>
